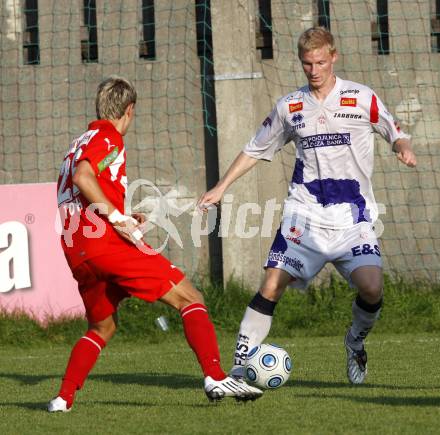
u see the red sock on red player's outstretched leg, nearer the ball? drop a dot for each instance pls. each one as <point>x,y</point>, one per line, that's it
<point>200,334</point>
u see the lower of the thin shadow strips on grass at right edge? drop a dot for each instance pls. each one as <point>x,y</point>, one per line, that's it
<point>379,400</point>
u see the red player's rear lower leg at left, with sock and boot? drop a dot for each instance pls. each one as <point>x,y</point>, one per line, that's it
<point>82,359</point>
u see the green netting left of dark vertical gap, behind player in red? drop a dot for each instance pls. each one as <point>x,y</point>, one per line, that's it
<point>45,105</point>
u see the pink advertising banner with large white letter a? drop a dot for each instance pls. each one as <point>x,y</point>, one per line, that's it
<point>34,276</point>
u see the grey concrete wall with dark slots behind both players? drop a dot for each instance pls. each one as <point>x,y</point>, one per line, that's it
<point>43,107</point>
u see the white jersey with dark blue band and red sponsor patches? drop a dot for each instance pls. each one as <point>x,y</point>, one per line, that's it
<point>331,183</point>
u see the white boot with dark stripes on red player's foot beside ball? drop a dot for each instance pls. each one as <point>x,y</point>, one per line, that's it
<point>229,387</point>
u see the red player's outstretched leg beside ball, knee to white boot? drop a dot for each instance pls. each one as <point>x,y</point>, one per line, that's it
<point>200,334</point>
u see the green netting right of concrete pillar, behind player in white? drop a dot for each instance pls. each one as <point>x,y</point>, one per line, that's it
<point>393,47</point>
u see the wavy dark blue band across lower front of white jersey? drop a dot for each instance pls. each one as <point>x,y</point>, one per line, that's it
<point>329,192</point>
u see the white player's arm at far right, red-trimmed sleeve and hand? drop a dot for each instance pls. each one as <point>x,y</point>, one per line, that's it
<point>383,123</point>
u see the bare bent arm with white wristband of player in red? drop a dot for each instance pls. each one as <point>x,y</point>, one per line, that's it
<point>85,180</point>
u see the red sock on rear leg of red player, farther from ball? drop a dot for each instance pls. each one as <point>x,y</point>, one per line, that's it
<point>82,359</point>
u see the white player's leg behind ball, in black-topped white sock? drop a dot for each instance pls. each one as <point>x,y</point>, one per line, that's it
<point>257,319</point>
